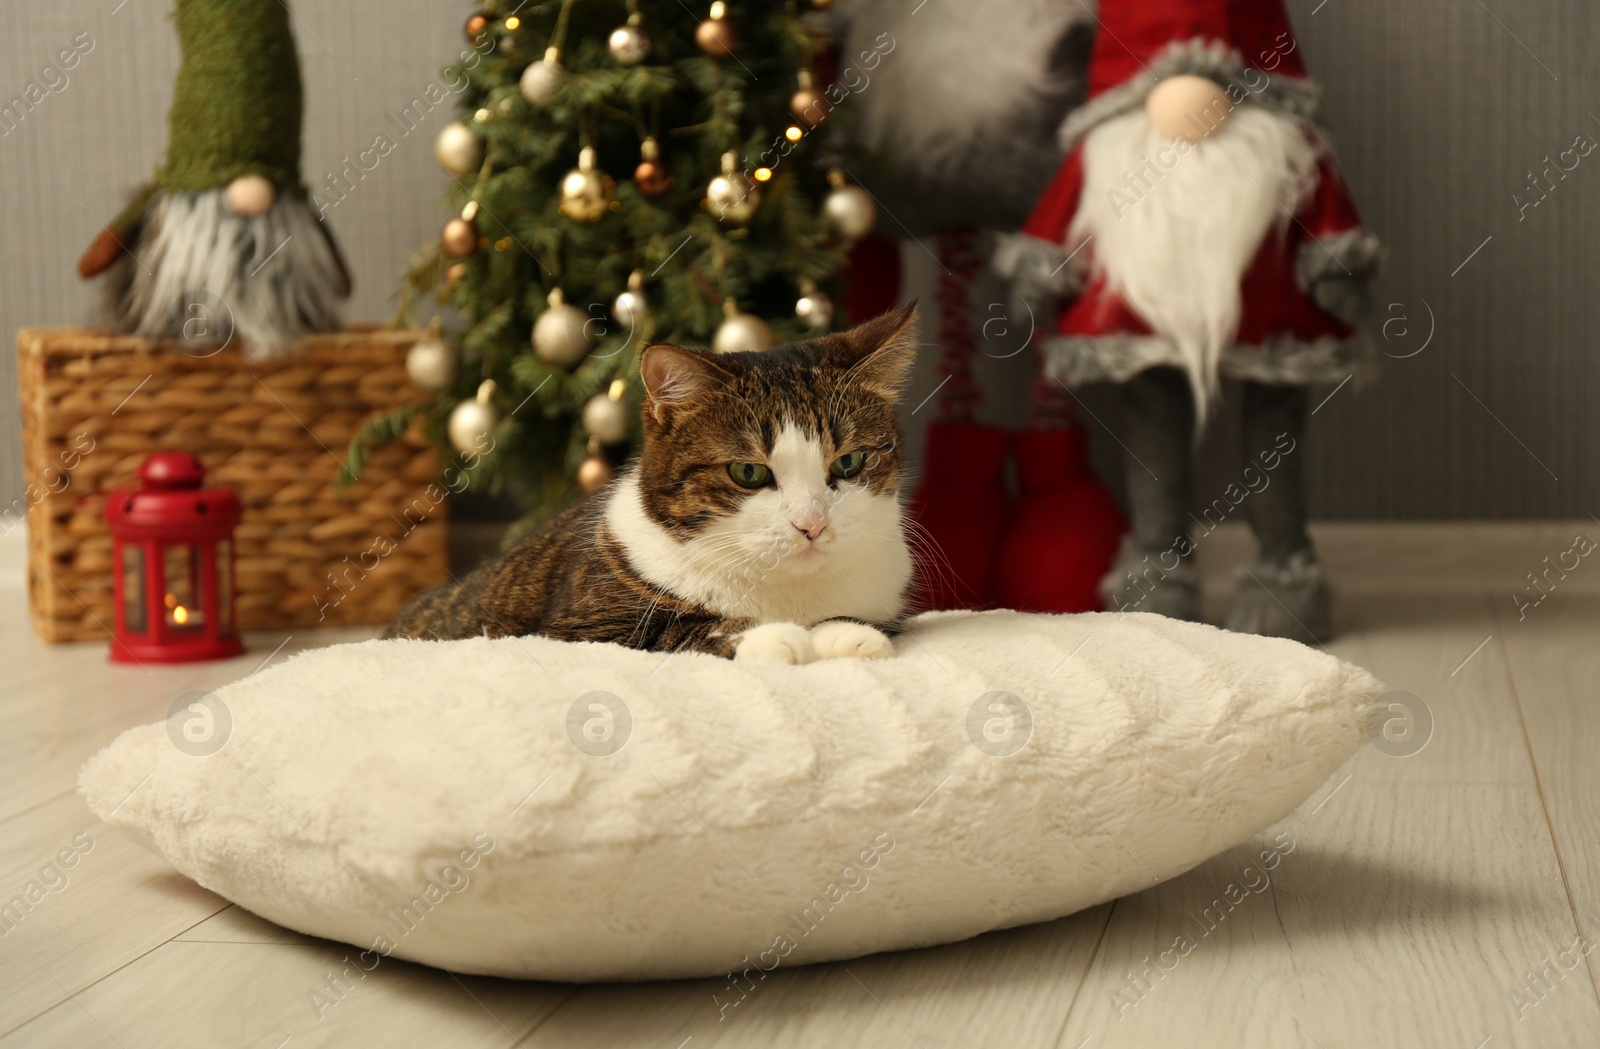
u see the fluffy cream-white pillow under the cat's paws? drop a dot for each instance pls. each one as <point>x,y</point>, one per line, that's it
<point>455,804</point>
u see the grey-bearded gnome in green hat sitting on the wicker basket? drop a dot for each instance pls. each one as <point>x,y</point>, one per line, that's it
<point>226,236</point>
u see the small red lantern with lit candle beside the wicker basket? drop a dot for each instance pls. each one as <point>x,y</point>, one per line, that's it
<point>174,565</point>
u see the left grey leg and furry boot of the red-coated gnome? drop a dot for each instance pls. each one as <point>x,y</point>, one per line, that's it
<point>1154,573</point>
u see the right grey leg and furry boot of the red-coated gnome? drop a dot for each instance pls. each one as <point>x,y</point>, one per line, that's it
<point>1286,594</point>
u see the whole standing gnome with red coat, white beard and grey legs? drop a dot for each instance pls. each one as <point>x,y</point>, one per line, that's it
<point>1199,229</point>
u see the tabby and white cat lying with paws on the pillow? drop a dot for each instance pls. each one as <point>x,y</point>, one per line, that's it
<point>761,521</point>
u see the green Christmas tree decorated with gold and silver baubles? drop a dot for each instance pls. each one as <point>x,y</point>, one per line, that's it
<point>726,225</point>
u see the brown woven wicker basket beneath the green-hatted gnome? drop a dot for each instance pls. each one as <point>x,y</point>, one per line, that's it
<point>97,405</point>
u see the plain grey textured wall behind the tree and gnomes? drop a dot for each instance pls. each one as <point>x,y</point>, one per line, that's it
<point>1438,110</point>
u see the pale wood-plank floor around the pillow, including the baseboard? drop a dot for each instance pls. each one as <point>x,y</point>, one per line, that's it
<point>1433,899</point>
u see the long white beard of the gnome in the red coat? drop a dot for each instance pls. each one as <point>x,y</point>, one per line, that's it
<point>1175,241</point>
